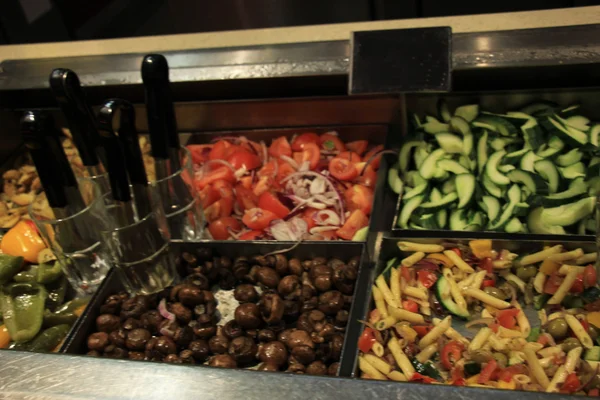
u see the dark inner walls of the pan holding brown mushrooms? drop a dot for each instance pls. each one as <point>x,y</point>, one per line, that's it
<point>76,341</point>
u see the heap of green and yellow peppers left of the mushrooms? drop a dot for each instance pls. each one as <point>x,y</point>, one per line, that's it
<point>33,313</point>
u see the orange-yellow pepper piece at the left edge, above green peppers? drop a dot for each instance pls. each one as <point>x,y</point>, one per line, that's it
<point>23,240</point>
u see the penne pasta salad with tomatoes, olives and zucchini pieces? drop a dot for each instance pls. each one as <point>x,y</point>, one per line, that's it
<point>466,316</point>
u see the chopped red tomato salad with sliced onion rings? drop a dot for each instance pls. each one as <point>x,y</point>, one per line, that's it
<point>312,187</point>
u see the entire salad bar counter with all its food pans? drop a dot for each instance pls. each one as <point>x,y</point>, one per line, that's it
<point>410,245</point>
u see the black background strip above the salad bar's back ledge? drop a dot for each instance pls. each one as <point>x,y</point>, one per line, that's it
<point>31,21</point>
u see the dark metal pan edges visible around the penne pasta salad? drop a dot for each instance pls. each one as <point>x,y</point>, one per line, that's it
<point>387,248</point>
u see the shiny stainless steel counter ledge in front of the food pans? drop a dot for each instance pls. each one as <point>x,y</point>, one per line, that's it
<point>55,376</point>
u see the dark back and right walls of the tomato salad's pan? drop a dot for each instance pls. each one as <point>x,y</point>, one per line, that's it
<point>376,134</point>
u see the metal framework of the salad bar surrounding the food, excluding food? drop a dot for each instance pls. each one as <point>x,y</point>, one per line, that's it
<point>281,90</point>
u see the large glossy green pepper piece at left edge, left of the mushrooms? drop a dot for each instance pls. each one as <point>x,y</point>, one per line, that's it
<point>23,305</point>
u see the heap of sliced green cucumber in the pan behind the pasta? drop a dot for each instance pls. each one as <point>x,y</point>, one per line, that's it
<point>535,170</point>
